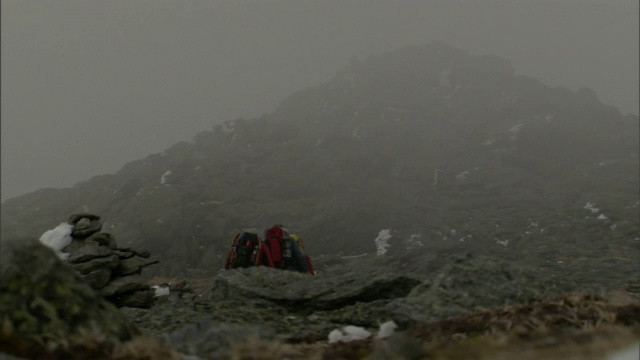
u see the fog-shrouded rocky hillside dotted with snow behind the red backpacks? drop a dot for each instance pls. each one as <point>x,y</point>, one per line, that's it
<point>444,149</point>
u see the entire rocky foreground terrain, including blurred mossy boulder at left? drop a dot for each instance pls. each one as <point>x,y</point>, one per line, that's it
<point>448,305</point>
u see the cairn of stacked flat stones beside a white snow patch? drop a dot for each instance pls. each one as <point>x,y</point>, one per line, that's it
<point>113,271</point>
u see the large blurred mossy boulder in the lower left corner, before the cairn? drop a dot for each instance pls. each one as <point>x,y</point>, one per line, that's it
<point>45,304</point>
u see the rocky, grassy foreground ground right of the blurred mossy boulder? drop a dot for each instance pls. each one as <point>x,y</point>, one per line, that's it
<point>445,306</point>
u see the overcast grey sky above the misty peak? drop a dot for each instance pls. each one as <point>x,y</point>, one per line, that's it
<point>90,85</point>
